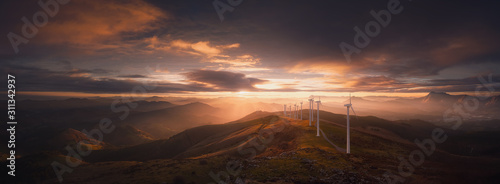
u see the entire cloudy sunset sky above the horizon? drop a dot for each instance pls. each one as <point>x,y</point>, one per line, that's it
<point>249,48</point>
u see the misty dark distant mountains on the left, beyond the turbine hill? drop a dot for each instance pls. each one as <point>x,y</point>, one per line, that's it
<point>53,124</point>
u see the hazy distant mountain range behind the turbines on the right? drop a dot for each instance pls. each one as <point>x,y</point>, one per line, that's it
<point>430,107</point>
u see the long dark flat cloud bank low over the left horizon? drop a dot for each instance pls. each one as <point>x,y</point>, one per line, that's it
<point>36,79</point>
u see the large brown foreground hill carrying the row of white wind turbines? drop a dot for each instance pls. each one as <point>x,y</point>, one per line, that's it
<point>290,153</point>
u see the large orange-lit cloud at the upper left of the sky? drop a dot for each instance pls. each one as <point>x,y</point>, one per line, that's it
<point>100,24</point>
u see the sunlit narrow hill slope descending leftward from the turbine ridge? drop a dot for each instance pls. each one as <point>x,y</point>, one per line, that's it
<point>194,142</point>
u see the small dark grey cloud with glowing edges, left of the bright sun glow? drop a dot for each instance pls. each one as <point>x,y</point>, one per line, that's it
<point>223,80</point>
